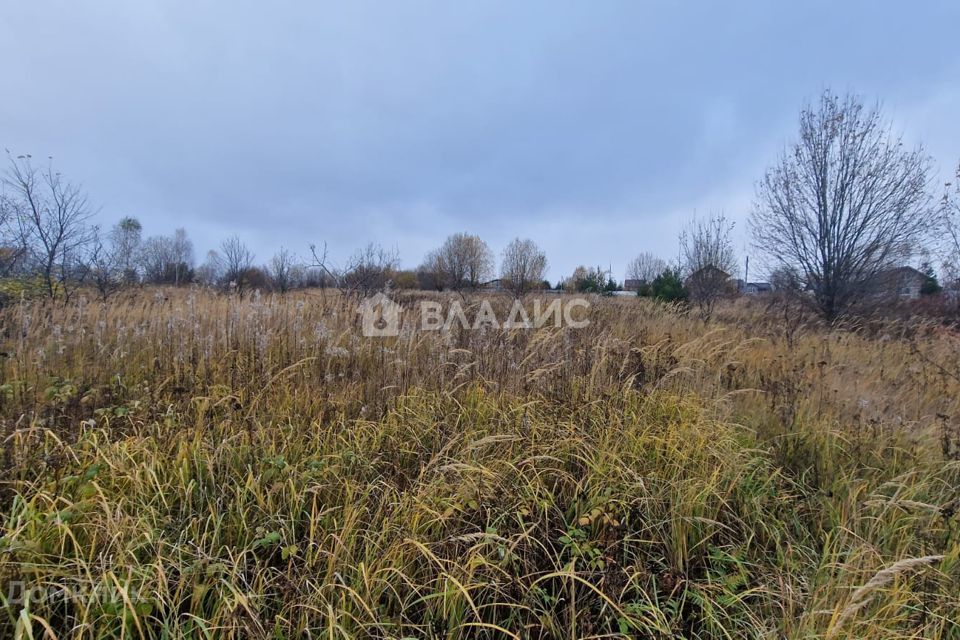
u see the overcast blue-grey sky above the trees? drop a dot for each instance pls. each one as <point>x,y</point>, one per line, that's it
<point>597,128</point>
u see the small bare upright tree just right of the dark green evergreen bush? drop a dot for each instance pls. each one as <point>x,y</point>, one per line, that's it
<point>706,249</point>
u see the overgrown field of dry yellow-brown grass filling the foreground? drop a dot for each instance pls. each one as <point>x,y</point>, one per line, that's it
<point>181,464</point>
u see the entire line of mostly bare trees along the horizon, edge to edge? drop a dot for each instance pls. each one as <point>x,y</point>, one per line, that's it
<point>843,203</point>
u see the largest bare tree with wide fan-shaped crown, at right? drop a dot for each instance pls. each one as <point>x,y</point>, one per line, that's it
<point>843,204</point>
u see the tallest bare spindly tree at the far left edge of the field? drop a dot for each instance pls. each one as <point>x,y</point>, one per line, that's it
<point>51,218</point>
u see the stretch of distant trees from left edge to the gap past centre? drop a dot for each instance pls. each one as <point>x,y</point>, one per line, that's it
<point>47,241</point>
